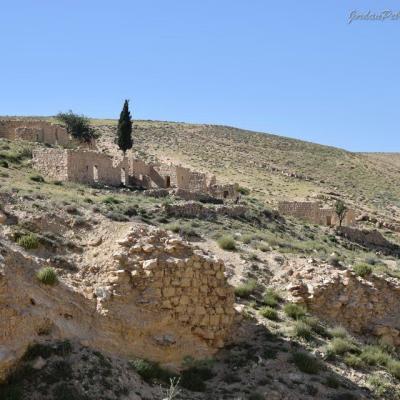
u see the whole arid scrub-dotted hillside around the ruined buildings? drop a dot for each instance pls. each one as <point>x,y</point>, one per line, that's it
<point>122,293</point>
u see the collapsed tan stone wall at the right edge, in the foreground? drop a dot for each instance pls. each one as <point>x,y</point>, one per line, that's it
<point>370,305</point>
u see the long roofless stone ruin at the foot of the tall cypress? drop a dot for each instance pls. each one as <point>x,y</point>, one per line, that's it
<point>91,167</point>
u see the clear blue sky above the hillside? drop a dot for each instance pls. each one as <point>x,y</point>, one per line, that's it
<point>292,68</point>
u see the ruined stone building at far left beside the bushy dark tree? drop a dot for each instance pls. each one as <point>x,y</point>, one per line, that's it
<point>34,131</point>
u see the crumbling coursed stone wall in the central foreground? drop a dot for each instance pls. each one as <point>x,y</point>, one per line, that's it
<point>186,284</point>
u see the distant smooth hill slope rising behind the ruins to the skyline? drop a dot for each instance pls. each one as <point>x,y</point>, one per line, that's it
<point>273,167</point>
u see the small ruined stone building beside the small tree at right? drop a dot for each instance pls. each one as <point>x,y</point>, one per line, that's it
<point>314,213</point>
